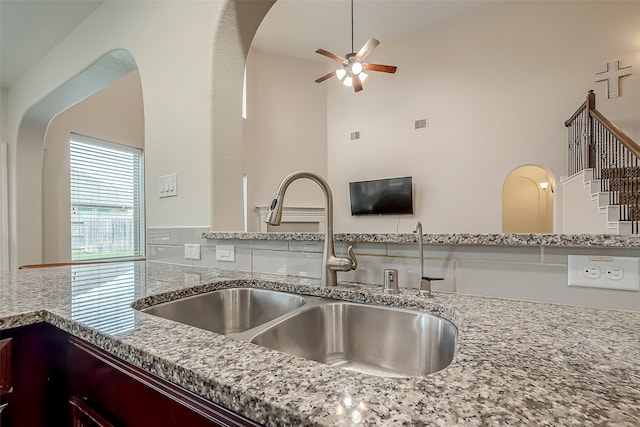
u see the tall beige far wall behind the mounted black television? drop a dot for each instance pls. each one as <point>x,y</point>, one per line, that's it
<point>496,87</point>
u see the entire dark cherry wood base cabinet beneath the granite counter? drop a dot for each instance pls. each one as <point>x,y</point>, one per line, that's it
<point>61,380</point>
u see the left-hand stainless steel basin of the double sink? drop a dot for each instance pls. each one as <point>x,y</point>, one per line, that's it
<point>228,311</point>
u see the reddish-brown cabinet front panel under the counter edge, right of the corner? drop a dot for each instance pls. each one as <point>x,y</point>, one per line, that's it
<point>129,396</point>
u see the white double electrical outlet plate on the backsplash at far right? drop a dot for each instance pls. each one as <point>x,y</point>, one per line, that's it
<point>604,272</point>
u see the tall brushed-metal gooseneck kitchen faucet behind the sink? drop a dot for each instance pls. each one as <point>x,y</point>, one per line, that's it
<point>330,263</point>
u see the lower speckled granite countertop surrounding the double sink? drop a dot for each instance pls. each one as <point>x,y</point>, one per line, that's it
<point>517,363</point>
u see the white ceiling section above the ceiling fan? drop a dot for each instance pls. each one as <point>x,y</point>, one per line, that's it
<point>297,28</point>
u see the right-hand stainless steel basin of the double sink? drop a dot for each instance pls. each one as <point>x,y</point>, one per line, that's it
<point>375,340</point>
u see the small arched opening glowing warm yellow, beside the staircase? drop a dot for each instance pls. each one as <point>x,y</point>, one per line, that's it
<point>528,201</point>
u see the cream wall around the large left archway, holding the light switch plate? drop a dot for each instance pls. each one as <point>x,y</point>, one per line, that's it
<point>171,42</point>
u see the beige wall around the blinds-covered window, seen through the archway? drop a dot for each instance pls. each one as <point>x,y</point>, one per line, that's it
<point>114,114</point>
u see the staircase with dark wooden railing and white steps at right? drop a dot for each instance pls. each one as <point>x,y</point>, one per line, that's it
<point>606,163</point>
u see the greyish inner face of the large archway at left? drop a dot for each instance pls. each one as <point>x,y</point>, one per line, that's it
<point>27,242</point>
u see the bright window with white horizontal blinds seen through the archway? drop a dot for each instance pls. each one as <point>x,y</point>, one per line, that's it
<point>107,200</point>
